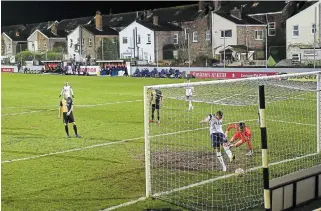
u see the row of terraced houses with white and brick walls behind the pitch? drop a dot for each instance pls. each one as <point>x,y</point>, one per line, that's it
<point>241,31</point>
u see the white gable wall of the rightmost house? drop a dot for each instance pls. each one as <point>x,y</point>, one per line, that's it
<point>304,20</point>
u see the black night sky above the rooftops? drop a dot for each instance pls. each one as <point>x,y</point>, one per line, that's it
<point>23,12</point>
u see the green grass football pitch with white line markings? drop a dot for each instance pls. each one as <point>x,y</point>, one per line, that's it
<point>42,170</point>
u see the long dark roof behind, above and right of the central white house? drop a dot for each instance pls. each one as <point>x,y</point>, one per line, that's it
<point>176,14</point>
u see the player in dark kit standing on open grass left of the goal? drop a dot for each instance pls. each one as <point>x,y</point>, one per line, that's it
<point>66,107</point>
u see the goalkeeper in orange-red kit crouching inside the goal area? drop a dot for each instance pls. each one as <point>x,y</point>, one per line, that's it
<point>243,134</point>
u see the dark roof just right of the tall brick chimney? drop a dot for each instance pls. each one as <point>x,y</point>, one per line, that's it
<point>121,19</point>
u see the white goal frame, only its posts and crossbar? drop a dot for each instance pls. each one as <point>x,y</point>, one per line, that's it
<point>194,84</point>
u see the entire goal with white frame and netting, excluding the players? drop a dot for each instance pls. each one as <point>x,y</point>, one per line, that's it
<point>181,166</point>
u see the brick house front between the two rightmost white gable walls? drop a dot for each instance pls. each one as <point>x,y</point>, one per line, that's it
<point>246,36</point>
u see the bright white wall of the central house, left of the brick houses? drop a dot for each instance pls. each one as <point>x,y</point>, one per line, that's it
<point>146,50</point>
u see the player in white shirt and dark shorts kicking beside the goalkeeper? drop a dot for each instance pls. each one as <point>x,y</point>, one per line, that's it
<point>218,137</point>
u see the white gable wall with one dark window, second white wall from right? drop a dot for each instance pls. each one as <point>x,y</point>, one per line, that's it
<point>219,23</point>
